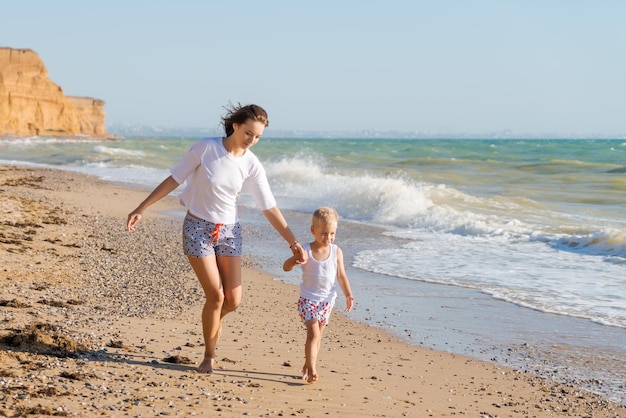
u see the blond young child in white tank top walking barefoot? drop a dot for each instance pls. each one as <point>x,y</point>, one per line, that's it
<point>321,273</point>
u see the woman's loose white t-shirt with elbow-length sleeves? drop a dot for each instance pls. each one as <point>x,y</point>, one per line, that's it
<point>215,179</point>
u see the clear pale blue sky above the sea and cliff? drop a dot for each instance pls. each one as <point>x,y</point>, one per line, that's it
<point>532,66</point>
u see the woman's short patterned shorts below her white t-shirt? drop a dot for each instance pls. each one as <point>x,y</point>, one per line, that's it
<point>203,238</point>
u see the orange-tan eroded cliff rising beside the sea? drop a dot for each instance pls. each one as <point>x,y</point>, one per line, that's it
<point>31,104</point>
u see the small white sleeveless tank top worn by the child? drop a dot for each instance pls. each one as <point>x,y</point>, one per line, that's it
<point>319,278</point>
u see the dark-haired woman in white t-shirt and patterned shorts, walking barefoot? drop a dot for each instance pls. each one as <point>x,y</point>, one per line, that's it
<point>216,171</point>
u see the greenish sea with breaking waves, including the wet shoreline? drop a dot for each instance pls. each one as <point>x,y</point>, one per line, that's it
<point>506,250</point>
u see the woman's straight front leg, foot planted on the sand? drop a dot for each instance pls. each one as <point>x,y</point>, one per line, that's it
<point>208,274</point>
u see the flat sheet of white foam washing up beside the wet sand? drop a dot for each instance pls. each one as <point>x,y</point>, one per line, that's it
<point>529,274</point>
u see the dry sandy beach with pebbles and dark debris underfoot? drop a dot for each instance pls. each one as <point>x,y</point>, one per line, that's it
<point>101,322</point>
